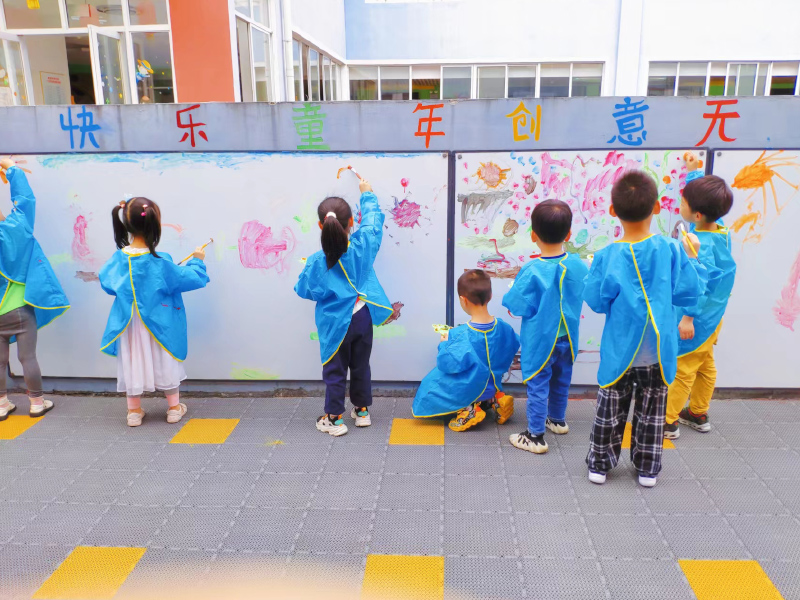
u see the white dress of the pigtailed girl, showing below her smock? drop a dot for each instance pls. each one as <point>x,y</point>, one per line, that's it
<point>142,364</point>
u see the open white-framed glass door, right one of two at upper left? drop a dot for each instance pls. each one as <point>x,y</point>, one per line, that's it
<point>108,67</point>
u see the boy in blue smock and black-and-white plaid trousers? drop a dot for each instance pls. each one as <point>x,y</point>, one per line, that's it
<point>637,282</point>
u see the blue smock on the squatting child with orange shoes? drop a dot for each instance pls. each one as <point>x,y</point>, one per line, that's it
<point>469,362</point>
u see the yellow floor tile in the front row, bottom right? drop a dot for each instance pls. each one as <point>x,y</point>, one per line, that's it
<point>729,580</point>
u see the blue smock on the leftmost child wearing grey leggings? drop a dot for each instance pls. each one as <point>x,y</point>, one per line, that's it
<point>22,259</point>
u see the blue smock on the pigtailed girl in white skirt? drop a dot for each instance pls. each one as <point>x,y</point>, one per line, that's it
<point>153,287</point>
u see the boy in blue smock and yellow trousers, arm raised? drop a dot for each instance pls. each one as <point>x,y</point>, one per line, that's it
<point>705,201</point>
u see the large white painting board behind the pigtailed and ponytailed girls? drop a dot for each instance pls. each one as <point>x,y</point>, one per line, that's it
<point>248,323</point>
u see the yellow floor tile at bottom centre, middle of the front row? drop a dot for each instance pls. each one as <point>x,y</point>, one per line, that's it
<point>388,577</point>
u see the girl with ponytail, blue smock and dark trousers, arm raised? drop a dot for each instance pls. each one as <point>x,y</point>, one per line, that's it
<point>342,281</point>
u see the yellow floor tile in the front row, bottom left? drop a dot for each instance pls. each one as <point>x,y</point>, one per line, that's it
<point>90,573</point>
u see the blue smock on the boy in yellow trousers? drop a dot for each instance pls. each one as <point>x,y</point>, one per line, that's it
<point>715,255</point>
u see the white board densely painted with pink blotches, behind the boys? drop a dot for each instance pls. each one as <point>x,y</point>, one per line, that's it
<point>496,192</point>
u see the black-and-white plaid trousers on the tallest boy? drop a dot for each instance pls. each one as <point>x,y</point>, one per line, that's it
<point>647,388</point>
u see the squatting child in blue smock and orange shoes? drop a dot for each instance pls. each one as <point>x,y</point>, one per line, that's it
<point>471,363</point>
